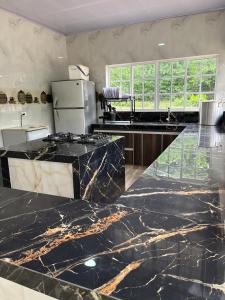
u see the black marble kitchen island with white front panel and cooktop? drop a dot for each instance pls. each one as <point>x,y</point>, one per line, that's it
<point>73,170</point>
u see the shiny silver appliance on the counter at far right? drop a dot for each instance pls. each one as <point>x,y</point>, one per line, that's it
<point>211,112</point>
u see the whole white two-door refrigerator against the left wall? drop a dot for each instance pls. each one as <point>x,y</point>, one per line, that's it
<point>74,105</point>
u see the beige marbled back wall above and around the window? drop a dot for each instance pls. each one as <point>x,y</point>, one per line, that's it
<point>200,34</point>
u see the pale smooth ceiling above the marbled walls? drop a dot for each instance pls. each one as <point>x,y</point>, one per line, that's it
<point>72,16</point>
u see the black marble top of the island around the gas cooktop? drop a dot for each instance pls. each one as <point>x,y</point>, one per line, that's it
<point>59,152</point>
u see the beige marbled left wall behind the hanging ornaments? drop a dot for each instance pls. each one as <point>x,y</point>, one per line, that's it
<point>28,61</point>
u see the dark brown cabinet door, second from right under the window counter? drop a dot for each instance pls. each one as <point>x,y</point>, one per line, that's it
<point>152,147</point>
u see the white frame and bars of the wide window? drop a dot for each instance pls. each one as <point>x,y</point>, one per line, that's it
<point>157,80</point>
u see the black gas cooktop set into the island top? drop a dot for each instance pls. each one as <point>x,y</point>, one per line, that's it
<point>61,137</point>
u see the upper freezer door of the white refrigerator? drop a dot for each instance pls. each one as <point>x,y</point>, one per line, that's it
<point>69,94</point>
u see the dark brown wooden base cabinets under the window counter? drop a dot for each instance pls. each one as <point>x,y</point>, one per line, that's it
<point>142,148</point>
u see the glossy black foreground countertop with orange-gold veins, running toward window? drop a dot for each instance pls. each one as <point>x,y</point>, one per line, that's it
<point>162,239</point>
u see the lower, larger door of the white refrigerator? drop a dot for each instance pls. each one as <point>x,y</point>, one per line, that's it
<point>70,120</point>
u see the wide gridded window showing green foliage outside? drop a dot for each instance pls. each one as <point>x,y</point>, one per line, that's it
<point>179,84</point>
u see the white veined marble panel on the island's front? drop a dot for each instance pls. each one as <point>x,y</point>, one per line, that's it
<point>41,176</point>
